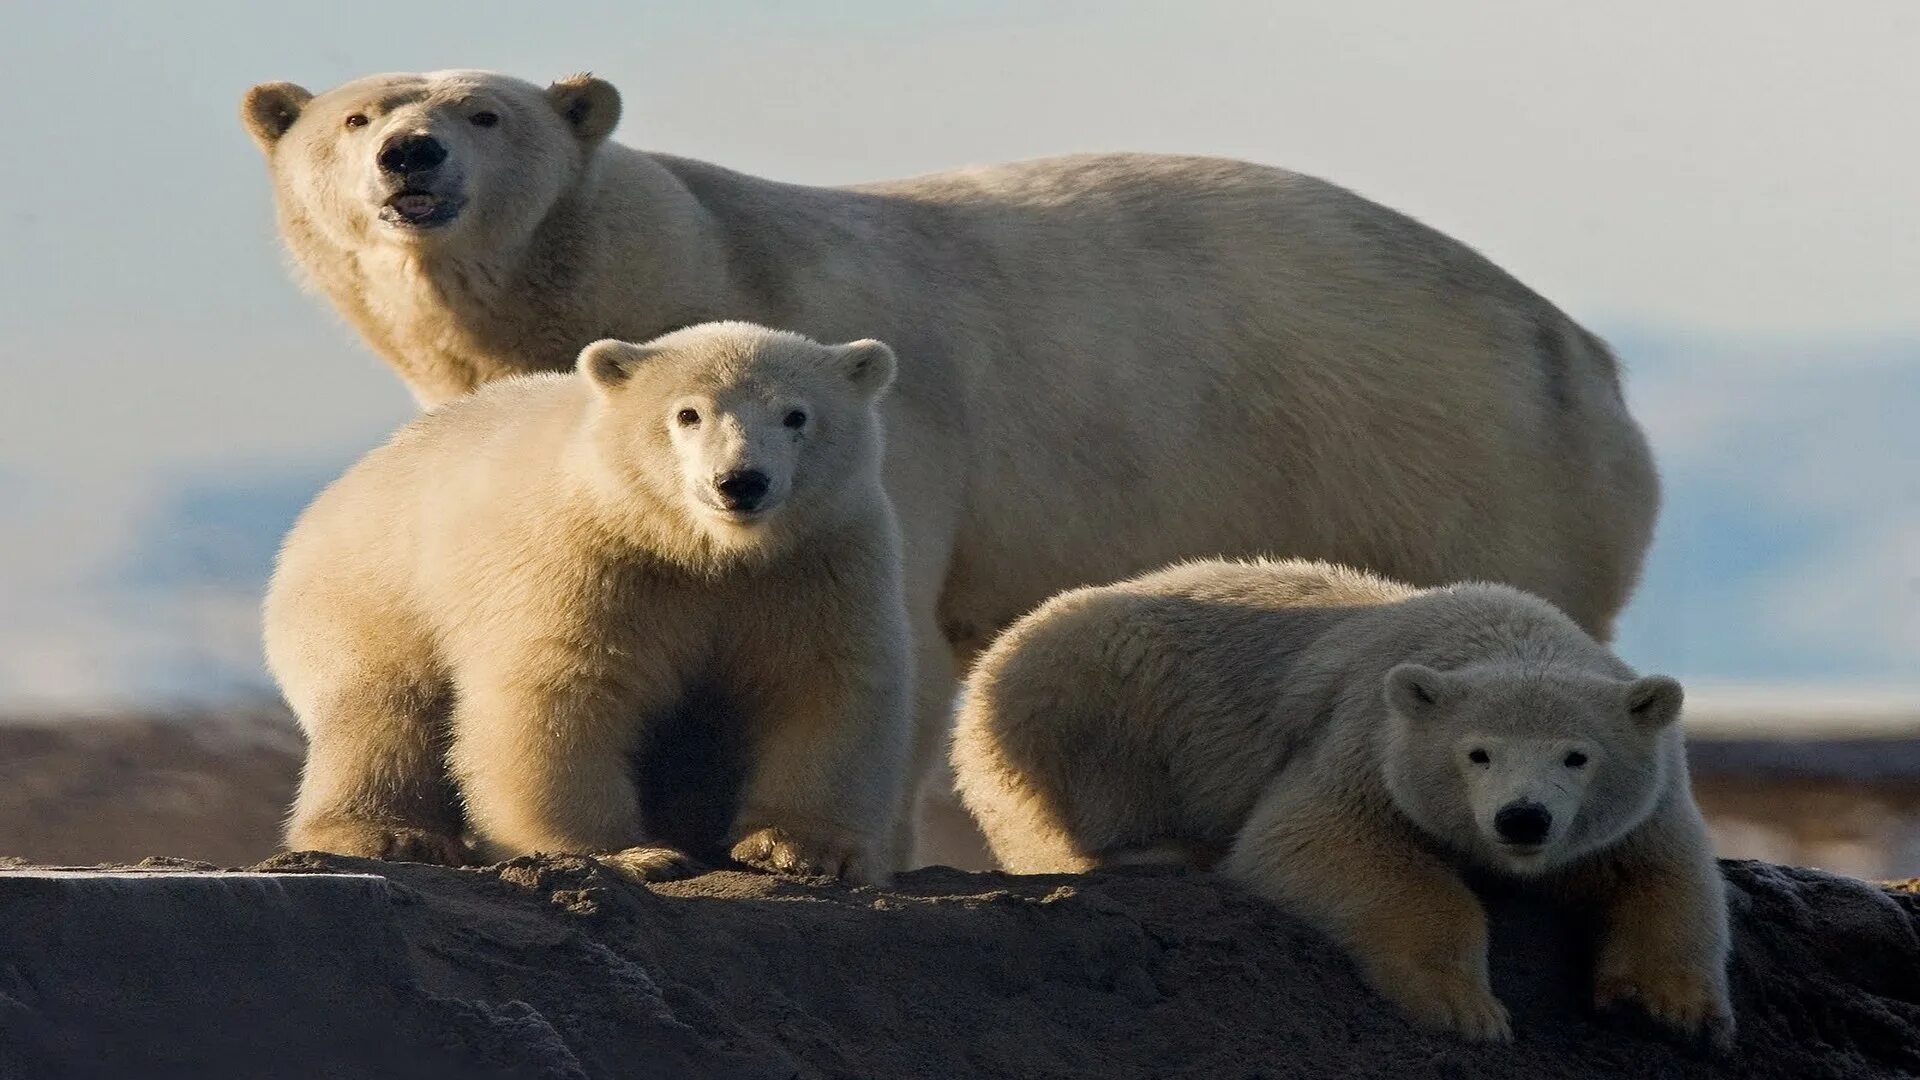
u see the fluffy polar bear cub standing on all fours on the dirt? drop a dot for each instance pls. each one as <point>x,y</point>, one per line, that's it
<point>525,581</point>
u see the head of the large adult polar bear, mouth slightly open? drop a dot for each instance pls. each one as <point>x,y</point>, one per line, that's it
<point>462,160</point>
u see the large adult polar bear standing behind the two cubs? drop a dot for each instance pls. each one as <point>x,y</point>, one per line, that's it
<point>1107,362</point>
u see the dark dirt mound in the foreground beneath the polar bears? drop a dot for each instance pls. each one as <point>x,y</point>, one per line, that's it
<point>554,968</point>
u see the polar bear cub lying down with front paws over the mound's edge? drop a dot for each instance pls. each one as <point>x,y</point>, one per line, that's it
<point>1343,745</point>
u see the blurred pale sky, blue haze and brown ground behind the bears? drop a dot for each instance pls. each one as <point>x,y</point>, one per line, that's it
<point>1725,189</point>
